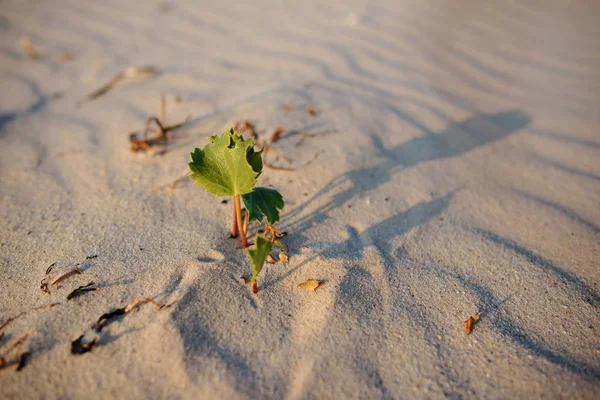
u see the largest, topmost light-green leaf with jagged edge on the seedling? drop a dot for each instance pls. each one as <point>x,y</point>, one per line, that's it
<point>223,168</point>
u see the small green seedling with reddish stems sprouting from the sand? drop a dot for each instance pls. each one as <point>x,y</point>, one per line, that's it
<point>229,166</point>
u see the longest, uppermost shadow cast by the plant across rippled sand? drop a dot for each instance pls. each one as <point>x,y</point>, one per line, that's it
<point>457,139</point>
